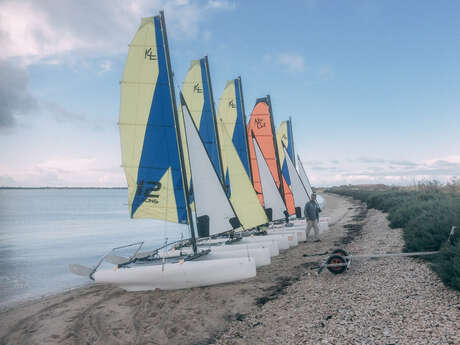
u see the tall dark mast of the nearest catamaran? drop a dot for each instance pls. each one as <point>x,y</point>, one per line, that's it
<point>179,140</point>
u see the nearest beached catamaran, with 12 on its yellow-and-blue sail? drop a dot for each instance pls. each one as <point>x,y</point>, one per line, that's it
<point>153,161</point>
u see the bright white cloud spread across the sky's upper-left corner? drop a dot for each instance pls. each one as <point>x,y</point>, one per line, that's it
<point>33,31</point>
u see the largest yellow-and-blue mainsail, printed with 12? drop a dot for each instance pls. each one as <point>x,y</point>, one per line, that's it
<point>150,153</point>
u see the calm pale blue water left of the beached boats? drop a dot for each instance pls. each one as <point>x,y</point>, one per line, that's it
<point>42,231</point>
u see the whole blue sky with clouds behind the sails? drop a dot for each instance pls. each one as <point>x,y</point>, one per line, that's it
<point>373,87</point>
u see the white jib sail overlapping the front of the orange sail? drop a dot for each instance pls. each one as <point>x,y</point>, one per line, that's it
<point>271,193</point>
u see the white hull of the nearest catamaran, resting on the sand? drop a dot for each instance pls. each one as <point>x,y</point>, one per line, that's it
<point>173,276</point>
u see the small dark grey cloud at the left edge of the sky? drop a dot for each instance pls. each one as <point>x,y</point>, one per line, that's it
<point>15,97</point>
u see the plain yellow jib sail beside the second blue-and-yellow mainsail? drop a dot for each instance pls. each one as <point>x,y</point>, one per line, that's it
<point>239,187</point>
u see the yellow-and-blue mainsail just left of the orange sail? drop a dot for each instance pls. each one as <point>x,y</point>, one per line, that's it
<point>231,113</point>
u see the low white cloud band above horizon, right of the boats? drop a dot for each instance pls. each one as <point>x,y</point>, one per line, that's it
<point>377,170</point>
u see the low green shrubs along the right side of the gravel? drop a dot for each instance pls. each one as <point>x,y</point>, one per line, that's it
<point>426,212</point>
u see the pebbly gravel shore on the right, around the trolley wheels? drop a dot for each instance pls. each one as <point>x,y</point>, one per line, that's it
<point>378,301</point>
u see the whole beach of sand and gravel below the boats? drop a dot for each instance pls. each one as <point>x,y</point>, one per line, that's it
<point>389,301</point>
